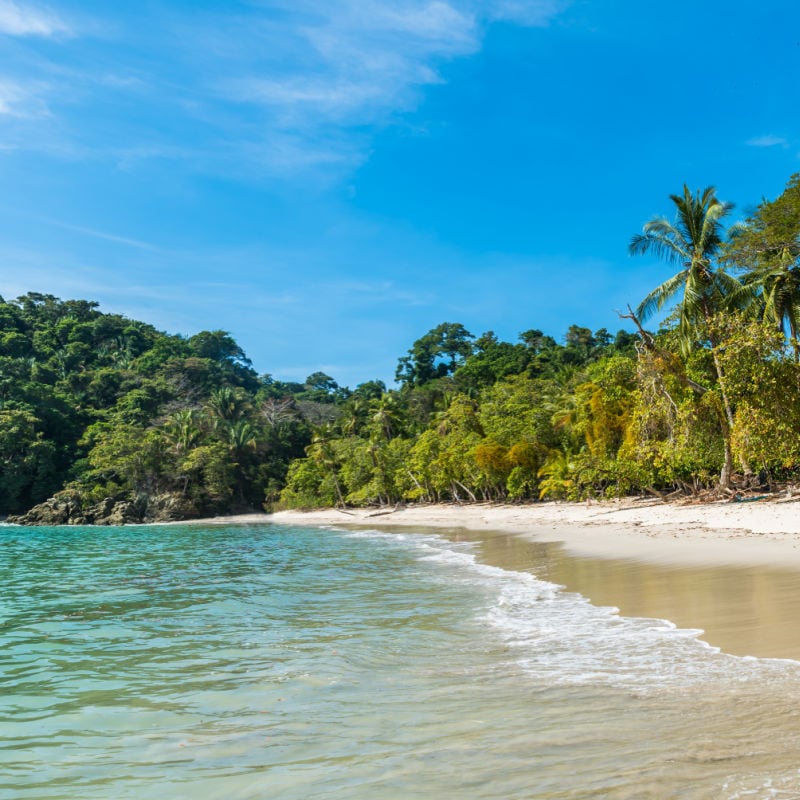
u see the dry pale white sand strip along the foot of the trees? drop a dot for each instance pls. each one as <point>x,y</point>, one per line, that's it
<point>762,532</point>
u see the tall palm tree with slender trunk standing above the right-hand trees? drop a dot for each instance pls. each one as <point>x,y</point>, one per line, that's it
<point>701,287</point>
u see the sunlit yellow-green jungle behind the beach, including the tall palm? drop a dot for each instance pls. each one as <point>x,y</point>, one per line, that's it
<point>712,400</point>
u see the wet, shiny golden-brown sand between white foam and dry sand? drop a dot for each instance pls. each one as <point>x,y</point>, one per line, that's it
<point>746,611</point>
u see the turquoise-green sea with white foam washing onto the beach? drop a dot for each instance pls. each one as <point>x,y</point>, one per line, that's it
<point>276,662</point>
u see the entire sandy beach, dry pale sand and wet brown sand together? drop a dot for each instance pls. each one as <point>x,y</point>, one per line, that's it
<point>729,571</point>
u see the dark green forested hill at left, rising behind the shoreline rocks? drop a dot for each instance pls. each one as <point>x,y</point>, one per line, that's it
<point>138,424</point>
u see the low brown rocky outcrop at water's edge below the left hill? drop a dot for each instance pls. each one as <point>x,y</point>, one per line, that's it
<point>66,508</point>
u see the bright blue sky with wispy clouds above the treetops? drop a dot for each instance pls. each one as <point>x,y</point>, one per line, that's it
<point>329,179</point>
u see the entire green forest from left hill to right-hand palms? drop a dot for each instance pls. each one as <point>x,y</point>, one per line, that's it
<point>107,420</point>
